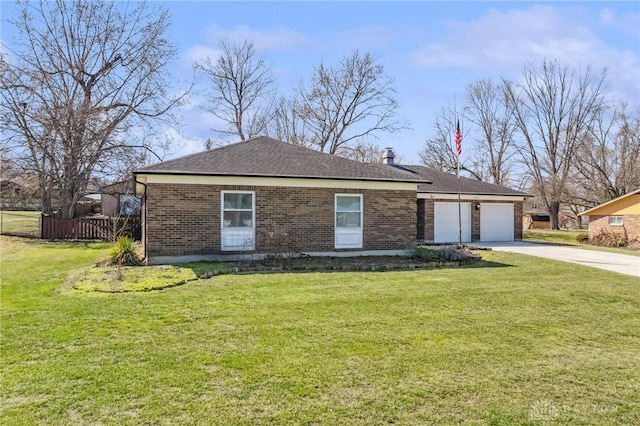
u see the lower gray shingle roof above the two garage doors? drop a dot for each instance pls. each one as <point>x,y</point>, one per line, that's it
<point>448,184</point>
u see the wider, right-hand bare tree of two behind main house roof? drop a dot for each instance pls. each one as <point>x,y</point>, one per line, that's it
<point>347,104</point>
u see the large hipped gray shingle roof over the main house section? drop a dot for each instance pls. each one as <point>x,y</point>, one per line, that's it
<point>266,157</point>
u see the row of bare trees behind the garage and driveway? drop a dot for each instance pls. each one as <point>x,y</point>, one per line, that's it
<point>553,131</point>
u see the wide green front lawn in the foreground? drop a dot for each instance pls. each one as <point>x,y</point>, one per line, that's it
<point>483,344</point>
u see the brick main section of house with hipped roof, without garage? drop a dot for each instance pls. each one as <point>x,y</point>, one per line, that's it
<point>248,197</point>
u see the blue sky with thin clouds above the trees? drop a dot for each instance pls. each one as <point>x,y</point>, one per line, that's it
<point>431,49</point>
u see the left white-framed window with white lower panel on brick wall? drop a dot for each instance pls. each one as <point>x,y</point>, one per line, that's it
<point>238,221</point>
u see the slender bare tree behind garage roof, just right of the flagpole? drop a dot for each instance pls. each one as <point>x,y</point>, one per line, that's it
<point>488,109</point>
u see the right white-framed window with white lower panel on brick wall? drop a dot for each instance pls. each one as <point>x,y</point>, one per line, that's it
<point>348,221</point>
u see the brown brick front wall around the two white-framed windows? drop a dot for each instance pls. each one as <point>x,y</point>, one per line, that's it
<point>182,220</point>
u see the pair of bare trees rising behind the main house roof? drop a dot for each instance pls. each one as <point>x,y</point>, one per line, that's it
<point>339,110</point>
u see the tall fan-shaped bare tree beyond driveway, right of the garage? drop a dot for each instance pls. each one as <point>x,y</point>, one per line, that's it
<point>554,108</point>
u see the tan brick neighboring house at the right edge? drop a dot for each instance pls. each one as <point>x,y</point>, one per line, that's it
<point>620,215</point>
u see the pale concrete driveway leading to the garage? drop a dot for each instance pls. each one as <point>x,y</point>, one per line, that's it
<point>622,263</point>
